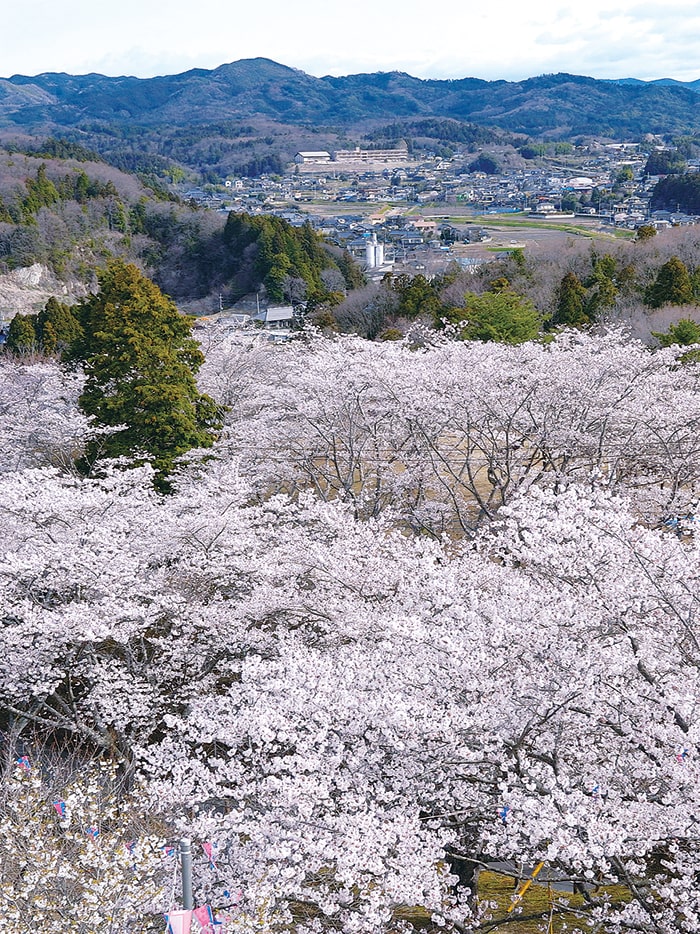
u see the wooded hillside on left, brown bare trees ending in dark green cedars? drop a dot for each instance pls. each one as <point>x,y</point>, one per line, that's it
<point>65,209</point>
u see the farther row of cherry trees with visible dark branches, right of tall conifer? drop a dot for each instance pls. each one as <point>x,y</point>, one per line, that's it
<point>444,436</point>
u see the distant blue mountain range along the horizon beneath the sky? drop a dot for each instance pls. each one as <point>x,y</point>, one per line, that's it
<point>559,105</point>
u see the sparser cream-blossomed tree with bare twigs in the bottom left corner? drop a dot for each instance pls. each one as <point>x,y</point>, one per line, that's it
<point>75,856</point>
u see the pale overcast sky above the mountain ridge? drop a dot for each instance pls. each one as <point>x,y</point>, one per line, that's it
<point>512,39</point>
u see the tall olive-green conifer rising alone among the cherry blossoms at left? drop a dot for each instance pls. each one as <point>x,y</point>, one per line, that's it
<point>140,362</point>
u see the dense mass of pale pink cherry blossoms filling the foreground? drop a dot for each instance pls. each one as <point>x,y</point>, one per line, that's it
<point>334,704</point>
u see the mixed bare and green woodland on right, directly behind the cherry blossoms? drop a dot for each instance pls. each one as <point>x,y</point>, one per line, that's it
<point>644,284</point>
